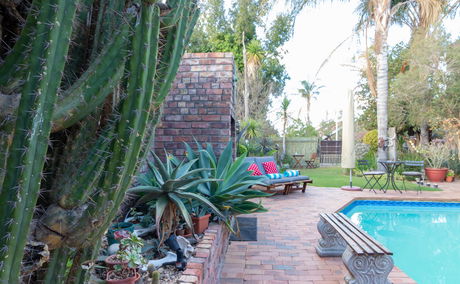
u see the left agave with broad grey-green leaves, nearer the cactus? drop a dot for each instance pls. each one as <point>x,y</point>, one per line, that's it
<point>168,185</point>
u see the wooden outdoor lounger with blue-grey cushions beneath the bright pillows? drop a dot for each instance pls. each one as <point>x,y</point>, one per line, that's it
<point>289,183</point>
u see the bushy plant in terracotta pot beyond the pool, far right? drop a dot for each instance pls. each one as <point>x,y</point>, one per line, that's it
<point>436,154</point>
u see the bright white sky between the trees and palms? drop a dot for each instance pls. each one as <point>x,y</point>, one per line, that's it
<point>318,30</point>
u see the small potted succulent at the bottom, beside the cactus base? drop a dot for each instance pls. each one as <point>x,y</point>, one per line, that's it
<point>128,259</point>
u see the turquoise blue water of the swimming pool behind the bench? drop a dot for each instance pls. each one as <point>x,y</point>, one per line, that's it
<point>424,236</point>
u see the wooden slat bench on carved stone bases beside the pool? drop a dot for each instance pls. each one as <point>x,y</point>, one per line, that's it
<point>366,260</point>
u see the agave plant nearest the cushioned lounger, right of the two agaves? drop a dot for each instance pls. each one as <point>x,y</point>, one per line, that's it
<point>228,183</point>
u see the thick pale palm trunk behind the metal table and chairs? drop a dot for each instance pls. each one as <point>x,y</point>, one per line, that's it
<point>382,18</point>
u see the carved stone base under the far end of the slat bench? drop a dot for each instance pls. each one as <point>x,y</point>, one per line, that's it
<point>331,243</point>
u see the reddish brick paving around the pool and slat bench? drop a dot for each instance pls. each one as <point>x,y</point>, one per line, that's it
<point>287,236</point>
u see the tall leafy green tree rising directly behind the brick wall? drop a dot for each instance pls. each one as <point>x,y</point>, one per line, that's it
<point>266,74</point>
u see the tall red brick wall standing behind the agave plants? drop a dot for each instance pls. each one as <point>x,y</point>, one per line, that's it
<point>199,105</point>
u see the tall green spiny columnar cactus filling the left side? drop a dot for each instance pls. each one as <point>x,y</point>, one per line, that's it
<point>83,121</point>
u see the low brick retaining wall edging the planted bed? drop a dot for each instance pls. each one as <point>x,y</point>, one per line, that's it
<point>206,265</point>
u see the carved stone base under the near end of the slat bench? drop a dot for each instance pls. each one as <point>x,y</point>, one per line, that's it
<point>367,269</point>
